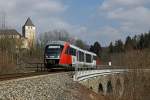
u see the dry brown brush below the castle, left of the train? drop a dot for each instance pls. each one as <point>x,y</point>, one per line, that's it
<point>11,62</point>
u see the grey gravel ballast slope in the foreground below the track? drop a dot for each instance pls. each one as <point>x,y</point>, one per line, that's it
<point>58,86</point>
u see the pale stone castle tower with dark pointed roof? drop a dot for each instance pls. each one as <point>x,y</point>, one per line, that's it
<point>28,32</point>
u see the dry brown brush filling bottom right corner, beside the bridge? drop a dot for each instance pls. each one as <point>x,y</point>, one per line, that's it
<point>137,87</point>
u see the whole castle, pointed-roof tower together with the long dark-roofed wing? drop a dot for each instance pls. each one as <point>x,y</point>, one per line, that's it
<point>28,34</point>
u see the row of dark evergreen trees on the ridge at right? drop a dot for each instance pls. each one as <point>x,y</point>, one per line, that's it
<point>137,42</point>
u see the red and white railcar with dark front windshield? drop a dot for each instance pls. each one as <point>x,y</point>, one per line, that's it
<point>63,53</point>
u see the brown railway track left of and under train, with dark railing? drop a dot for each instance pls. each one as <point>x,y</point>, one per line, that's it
<point>39,69</point>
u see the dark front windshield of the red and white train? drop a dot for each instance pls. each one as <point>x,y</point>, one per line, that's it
<point>53,51</point>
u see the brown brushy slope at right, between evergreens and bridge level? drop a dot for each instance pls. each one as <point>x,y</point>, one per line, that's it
<point>132,59</point>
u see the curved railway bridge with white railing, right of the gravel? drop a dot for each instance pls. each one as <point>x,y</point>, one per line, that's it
<point>102,81</point>
